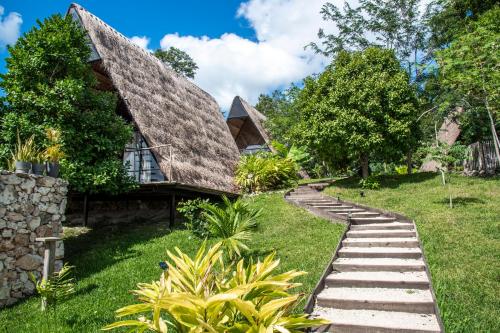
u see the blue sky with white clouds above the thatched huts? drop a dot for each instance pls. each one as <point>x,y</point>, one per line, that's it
<point>242,47</point>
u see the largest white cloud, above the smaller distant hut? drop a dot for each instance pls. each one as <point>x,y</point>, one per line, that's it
<point>231,65</point>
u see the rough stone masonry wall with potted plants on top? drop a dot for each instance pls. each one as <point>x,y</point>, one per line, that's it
<point>30,207</point>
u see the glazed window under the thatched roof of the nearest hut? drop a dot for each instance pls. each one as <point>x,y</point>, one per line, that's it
<point>141,162</point>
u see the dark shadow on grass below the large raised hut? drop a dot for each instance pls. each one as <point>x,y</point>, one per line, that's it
<point>103,247</point>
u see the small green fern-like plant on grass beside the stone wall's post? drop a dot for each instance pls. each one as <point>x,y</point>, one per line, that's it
<point>57,288</point>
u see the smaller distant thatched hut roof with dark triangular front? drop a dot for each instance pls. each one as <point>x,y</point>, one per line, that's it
<point>246,124</point>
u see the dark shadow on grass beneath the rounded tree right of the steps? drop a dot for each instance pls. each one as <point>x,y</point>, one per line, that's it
<point>386,181</point>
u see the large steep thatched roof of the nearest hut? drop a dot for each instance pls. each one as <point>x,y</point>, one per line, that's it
<point>167,109</point>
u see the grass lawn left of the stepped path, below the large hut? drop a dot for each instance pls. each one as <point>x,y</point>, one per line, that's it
<point>109,262</point>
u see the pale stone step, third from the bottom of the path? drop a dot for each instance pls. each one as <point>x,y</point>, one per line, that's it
<point>408,280</point>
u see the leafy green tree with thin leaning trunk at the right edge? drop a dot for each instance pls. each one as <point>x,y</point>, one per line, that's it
<point>470,68</point>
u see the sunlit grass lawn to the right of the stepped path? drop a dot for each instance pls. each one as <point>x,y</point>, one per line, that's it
<point>461,245</point>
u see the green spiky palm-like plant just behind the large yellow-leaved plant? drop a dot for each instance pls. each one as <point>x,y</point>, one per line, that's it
<point>232,222</point>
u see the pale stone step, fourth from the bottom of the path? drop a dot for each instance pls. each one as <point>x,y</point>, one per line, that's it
<point>378,265</point>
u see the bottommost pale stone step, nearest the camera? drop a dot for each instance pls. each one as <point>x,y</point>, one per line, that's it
<point>371,321</point>
